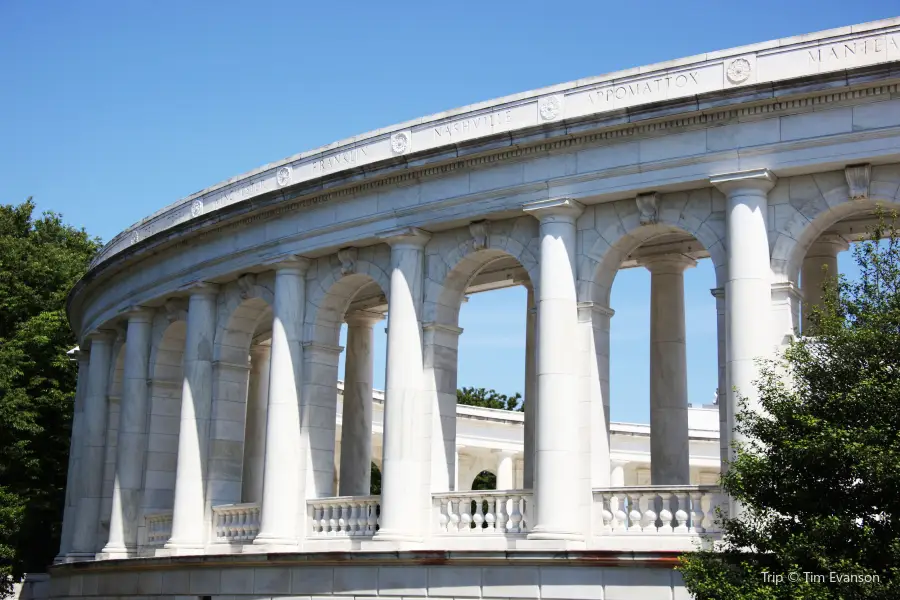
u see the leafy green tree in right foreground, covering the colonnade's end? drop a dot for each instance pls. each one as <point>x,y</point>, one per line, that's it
<point>819,478</point>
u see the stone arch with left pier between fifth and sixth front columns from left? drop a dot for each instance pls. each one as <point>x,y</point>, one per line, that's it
<point>332,285</point>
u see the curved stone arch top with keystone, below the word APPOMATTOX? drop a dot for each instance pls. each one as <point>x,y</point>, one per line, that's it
<point>618,231</point>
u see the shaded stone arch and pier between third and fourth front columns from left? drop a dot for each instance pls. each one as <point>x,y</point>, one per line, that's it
<point>168,334</point>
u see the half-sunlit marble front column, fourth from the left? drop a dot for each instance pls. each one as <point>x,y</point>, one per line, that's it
<point>188,515</point>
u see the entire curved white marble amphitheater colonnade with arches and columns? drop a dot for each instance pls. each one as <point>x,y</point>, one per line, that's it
<point>217,455</point>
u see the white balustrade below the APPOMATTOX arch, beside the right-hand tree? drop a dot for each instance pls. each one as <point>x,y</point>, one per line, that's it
<point>658,510</point>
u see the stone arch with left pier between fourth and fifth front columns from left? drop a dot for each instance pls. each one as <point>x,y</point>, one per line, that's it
<point>244,313</point>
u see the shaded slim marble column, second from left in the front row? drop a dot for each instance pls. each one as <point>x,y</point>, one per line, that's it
<point>93,447</point>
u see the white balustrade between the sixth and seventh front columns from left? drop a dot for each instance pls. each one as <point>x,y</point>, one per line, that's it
<point>483,512</point>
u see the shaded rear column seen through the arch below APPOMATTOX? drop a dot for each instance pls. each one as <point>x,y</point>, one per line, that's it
<point>669,450</point>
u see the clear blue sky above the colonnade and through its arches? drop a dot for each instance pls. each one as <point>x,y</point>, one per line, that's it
<point>111,110</point>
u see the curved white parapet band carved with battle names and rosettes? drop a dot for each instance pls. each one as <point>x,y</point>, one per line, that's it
<point>781,59</point>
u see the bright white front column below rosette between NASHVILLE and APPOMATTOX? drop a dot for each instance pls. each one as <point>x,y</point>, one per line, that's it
<point>557,425</point>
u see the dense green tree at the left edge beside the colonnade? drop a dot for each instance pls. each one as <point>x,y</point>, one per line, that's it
<point>40,261</point>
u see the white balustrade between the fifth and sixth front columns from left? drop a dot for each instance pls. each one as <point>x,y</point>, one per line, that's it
<point>348,516</point>
